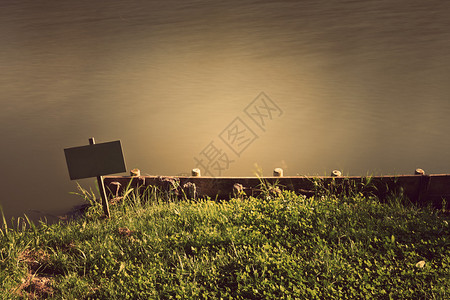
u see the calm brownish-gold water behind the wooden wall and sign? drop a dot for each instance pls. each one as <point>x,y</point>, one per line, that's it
<point>360,86</point>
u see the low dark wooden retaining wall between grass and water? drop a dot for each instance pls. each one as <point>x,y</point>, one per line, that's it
<point>421,189</point>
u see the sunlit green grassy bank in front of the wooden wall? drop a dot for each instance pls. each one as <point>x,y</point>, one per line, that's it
<point>277,246</point>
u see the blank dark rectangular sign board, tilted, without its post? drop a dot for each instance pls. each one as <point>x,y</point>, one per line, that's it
<point>95,160</point>
